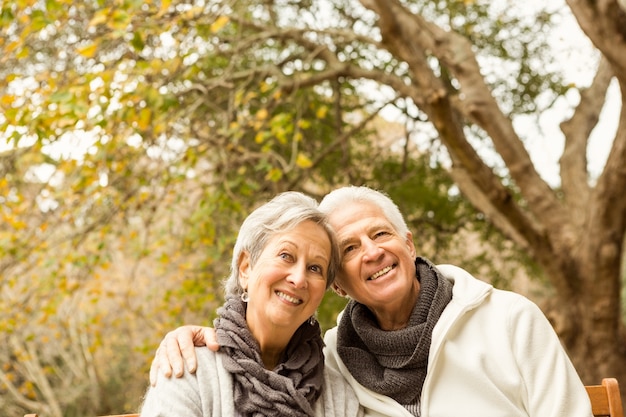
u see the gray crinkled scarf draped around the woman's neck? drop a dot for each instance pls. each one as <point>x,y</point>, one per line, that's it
<point>292,388</point>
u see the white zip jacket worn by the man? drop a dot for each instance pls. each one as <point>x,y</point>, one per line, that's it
<point>493,354</point>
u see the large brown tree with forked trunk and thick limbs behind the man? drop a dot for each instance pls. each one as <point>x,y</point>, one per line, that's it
<point>577,235</point>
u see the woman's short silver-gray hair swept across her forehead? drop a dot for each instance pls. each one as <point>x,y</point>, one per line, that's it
<point>281,214</point>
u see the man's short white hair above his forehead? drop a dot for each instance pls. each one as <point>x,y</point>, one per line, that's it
<point>360,194</point>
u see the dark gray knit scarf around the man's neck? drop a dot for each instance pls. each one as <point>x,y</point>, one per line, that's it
<point>393,363</point>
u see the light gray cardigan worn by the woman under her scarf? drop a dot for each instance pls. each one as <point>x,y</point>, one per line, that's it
<point>209,392</point>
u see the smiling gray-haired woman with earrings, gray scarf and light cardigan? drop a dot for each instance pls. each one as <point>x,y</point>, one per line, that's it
<point>271,360</point>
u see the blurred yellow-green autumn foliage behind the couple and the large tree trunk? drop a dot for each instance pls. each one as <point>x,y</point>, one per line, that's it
<point>137,135</point>
